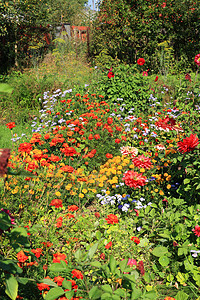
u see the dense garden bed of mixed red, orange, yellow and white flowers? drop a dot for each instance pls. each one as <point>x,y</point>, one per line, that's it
<point>102,201</point>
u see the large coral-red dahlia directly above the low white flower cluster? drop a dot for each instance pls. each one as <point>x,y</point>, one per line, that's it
<point>134,179</point>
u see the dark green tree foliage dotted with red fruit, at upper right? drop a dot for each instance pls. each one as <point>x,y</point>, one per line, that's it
<point>129,29</point>
